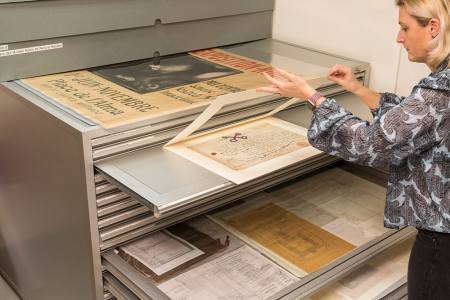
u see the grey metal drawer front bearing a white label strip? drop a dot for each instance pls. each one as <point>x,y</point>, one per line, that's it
<point>59,54</point>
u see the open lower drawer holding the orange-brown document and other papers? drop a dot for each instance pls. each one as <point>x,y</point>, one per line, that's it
<point>284,243</point>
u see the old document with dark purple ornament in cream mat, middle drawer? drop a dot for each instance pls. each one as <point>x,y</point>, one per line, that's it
<point>247,151</point>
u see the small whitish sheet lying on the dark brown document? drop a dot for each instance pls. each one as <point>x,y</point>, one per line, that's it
<point>161,252</point>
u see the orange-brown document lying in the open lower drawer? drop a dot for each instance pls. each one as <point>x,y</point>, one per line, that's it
<point>294,243</point>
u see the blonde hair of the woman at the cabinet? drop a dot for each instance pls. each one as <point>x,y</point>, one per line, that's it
<point>423,11</point>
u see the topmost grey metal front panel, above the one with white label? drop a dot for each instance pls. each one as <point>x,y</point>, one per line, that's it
<point>37,20</point>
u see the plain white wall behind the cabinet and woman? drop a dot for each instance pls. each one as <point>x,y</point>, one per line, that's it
<point>363,30</point>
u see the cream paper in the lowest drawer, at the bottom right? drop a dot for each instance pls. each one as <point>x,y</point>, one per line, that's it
<point>374,280</point>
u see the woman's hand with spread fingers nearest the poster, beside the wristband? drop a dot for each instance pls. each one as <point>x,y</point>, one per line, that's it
<point>288,85</point>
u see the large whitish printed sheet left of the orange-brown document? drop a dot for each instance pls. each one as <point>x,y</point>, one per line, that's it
<point>240,274</point>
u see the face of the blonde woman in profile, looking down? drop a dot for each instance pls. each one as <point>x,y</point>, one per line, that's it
<point>414,37</point>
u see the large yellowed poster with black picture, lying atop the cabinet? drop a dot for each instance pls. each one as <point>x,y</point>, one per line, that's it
<point>126,93</point>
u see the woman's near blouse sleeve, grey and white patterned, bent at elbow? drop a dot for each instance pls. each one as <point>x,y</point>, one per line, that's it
<point>408,127</point>
